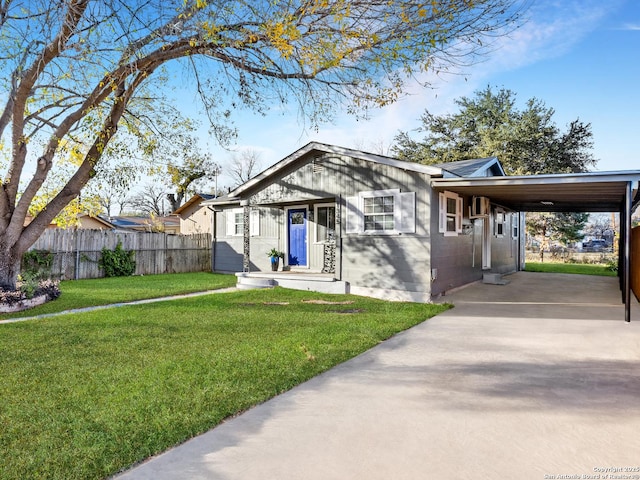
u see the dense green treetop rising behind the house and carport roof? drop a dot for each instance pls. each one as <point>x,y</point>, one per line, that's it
<point>527,142</point>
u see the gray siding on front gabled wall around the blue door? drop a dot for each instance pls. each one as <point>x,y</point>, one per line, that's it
<point>398,262</point>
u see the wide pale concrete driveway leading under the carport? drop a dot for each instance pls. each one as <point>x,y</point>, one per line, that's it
<point>536,379</point>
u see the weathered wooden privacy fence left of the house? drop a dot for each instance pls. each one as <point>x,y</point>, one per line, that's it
<point>77,252</point>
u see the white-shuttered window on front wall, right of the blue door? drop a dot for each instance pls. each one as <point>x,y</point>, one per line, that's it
<point>381,212</point>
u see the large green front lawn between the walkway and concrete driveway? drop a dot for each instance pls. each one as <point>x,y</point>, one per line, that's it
<point>86,395</point>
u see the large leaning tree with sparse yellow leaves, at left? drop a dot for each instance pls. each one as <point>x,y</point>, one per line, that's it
<point>77,73</point>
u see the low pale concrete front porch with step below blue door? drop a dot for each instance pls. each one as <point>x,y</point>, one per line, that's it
<point>296,280</point>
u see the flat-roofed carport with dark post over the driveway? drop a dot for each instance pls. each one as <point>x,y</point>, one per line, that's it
<point>576,192</point>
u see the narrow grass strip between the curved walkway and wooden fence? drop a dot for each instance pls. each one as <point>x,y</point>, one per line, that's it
<point>104,291</point>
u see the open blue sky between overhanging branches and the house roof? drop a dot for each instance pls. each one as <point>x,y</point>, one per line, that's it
<point>581,57</point>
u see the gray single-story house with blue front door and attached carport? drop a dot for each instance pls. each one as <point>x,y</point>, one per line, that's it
<point>393,229</point>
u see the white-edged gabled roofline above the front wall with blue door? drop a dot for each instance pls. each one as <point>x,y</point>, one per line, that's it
<point>325,148</point>
